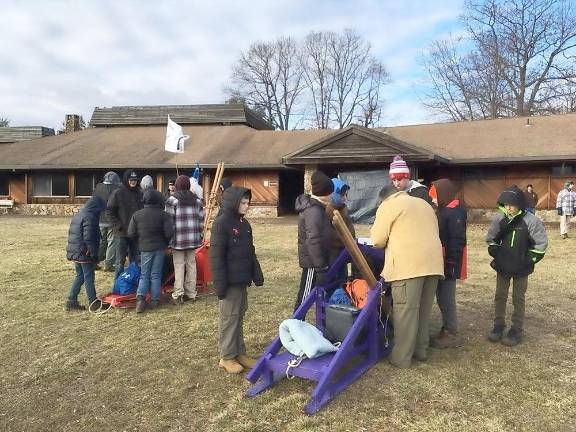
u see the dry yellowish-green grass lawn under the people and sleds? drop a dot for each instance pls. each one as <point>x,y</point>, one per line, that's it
<point>158,371</point>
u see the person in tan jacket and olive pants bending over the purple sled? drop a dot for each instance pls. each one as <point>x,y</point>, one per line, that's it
<point>407,228</point>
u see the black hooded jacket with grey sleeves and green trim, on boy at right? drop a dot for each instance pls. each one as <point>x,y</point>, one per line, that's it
<point>516,242</point>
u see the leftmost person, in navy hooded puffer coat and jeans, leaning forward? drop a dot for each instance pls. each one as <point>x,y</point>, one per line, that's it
<point>82,249</point>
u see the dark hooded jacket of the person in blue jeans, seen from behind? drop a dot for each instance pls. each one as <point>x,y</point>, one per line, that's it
<point>151,226</point>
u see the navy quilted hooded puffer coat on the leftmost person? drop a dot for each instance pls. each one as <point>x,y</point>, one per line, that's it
<point>84,233</point>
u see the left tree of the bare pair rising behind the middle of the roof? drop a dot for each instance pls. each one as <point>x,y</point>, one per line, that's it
<point>269,78</point>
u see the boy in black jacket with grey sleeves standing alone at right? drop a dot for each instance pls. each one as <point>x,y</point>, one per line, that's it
<point>516,240</point>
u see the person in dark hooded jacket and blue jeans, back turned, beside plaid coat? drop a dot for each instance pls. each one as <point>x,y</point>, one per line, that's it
<point>152,228</point>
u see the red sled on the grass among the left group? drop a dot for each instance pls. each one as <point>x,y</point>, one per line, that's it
<point>203,285</point>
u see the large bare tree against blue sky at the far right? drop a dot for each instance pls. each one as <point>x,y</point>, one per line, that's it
<point>519,60</point>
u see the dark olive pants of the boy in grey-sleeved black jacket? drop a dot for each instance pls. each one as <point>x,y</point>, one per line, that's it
<point>519,287</point>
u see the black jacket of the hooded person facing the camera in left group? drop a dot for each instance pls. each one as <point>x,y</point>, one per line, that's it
<point>122,204</point>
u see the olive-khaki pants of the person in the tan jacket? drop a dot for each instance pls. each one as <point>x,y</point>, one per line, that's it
<point>413,299</point>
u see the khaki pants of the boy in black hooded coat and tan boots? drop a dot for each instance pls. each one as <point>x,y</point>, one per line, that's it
<point>231,322</point>
